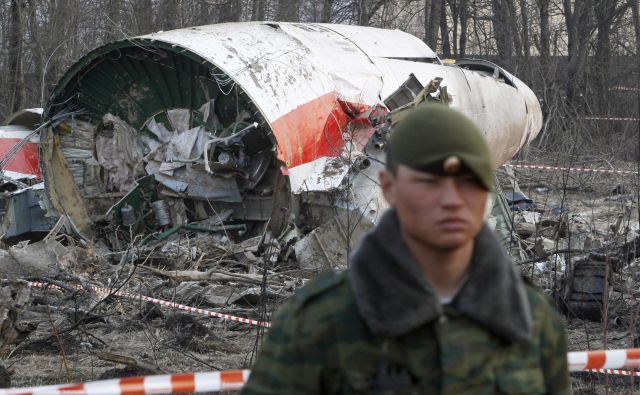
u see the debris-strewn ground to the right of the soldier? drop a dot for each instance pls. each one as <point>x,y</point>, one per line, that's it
<point>586,215</point>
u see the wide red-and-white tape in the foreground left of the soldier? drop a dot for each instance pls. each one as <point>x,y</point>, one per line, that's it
<point>229,380</point>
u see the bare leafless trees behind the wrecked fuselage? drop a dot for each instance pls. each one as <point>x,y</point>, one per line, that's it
<point>580,56</point>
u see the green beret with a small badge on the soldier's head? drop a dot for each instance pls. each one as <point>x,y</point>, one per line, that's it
<point>437,139</point>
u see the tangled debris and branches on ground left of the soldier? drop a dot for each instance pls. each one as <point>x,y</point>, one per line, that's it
<point>194,300</point>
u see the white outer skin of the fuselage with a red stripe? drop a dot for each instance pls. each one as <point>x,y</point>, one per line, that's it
<point>295,73</point>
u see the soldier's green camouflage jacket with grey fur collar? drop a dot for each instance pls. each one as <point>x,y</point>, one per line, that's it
<point>356,332</point>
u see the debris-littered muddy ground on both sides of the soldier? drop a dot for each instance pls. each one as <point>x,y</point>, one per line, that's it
<point>75,334</point>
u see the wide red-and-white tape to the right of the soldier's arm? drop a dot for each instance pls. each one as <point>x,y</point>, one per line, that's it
<point>603,359</point>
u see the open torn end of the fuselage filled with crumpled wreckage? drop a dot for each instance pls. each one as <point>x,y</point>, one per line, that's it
<point>148,138</point>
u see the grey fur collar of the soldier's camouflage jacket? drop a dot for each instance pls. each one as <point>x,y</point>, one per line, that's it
<point>394,297</point>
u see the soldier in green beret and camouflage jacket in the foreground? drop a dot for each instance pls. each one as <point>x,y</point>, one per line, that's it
<point>431,303</point>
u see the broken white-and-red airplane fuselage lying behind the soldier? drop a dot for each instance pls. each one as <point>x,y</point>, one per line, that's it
<point>253,122</point>
